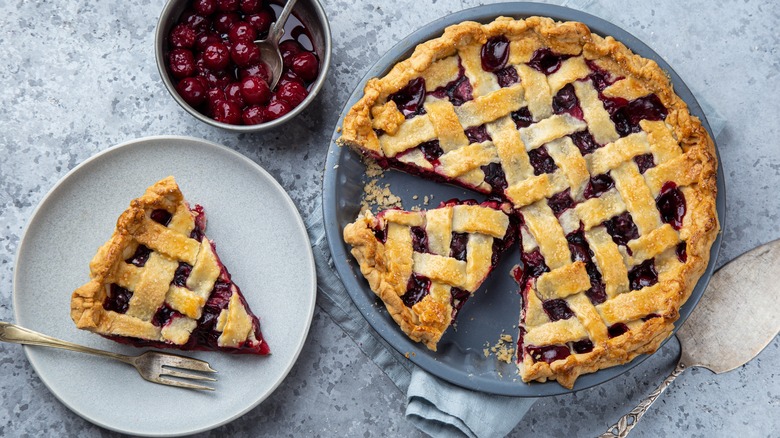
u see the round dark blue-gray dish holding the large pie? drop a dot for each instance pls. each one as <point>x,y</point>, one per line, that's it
<point>495,307</point>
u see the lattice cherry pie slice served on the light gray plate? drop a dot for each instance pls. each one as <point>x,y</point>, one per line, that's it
<point>158,282</point>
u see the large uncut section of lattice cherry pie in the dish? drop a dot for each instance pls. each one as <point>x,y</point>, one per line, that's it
<point>611,179</point>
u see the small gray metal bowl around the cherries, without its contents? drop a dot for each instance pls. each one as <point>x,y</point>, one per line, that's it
<point>310,12</point>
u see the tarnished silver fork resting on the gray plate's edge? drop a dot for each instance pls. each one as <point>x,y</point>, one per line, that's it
<point>153,366</point>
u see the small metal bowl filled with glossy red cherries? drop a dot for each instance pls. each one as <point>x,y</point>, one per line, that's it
<point>209,62</point>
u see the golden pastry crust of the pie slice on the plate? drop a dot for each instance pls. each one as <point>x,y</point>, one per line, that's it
<point>152,284</point>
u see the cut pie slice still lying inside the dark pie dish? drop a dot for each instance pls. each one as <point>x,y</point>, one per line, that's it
<point>424,265</point>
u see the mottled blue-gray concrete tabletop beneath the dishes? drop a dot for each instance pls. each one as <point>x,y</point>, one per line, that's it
<point>77,77</point>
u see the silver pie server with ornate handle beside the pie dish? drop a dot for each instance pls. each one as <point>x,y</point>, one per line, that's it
<point>745,290</point>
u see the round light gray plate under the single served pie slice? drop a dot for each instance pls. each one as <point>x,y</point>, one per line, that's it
<point>260,237</point>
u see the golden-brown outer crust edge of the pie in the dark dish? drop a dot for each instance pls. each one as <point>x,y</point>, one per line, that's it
<point>641,77</point>
